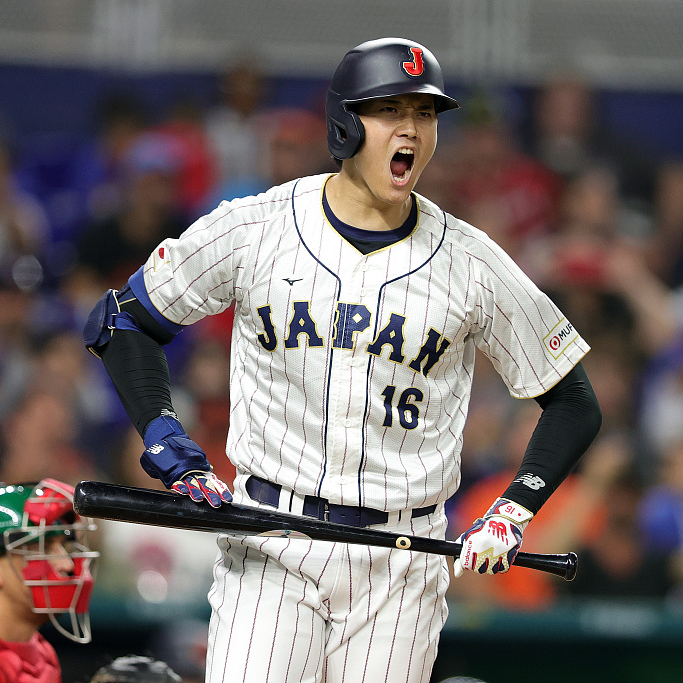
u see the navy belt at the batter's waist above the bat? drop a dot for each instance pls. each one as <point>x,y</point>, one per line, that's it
<point>266,492</point>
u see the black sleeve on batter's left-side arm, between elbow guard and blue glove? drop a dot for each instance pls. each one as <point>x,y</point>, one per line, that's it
<point>138,367</point>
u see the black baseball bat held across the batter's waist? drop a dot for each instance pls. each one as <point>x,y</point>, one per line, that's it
<point>164,508</point>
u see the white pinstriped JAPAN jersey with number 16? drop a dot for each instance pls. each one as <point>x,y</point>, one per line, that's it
<point>351,373</point>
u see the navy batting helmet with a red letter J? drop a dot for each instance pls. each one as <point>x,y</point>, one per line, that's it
<point>378,68</point>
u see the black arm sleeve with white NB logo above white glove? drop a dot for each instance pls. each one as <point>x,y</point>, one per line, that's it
<point>570,420</point>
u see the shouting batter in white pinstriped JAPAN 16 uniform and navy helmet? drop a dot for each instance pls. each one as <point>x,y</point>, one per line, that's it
<point>358,308</point>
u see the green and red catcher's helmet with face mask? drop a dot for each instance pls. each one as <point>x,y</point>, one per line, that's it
<point>31,516</point>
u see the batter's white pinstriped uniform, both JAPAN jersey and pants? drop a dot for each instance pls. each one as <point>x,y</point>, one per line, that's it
<point>350,379</point>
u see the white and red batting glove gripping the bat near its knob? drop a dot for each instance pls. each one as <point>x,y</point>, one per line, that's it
<point>490,545</point>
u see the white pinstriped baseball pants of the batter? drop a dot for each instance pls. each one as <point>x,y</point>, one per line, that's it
<point>314,612</point>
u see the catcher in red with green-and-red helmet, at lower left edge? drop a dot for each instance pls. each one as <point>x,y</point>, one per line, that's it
<point>44,572</point>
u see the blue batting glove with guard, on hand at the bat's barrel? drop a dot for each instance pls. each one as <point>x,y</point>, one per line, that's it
<point>171,456</point>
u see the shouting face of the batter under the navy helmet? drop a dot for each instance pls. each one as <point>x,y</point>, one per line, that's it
<point>400,139</point>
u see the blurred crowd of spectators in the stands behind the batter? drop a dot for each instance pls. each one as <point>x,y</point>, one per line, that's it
<point>592,212</point>
